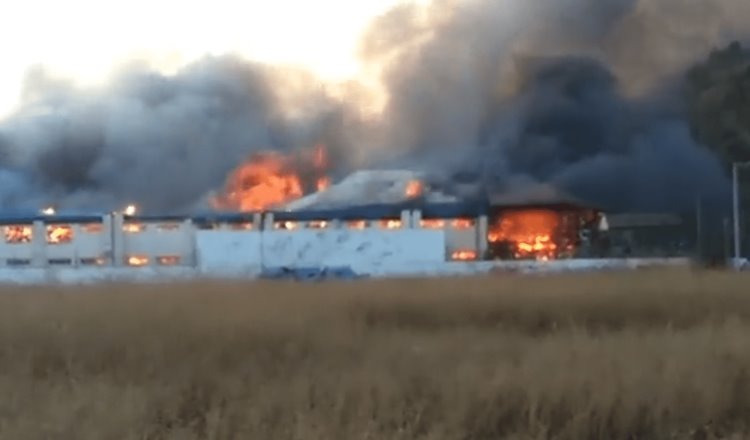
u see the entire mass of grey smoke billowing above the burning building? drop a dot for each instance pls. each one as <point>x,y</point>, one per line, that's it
<point>581,93</point>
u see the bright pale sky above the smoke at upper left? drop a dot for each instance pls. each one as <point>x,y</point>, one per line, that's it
<point>85,40</point>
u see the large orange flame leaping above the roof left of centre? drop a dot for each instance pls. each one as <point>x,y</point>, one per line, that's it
<point>271,179</point>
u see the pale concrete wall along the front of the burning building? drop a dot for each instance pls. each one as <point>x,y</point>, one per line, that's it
<point>245,250</point>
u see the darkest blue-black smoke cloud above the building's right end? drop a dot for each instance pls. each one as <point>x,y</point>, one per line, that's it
<point>576,130</point>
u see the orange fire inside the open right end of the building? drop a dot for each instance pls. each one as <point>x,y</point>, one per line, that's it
<point>528,233</point>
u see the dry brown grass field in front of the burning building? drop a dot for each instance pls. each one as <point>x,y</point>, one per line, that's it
<point>647,355</point>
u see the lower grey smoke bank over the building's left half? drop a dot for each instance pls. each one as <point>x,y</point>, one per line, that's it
<point>163,142</point>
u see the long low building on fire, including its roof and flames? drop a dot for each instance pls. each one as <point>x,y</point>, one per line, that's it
<point>285,210</point>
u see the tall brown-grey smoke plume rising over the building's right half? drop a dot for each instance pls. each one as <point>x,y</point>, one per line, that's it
<point>582,93</point>
